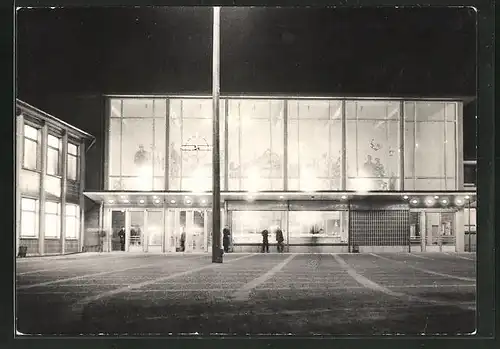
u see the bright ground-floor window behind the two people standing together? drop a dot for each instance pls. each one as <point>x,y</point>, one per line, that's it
<point>247,226</point>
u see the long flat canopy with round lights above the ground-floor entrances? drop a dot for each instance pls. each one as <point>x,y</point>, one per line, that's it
<point>419,199</point>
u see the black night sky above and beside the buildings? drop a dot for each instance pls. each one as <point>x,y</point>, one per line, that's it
<point>68,58</point>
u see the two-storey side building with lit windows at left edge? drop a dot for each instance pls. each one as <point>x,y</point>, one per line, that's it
<point>50,178</point>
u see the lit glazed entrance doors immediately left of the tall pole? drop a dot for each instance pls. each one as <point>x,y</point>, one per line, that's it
<point>187,230</point>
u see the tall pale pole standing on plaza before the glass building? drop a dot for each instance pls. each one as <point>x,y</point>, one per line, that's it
<point>216,256</point>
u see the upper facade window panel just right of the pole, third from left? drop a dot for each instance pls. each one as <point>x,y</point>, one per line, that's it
<point>256,145</point>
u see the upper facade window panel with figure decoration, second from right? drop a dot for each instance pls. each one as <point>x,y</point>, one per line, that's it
<point>372,145</point>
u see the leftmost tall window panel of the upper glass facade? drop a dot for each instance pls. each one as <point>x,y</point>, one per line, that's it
<point>137,132</point>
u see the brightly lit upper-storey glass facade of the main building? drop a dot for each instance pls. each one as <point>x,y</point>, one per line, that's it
<point>284,144</point>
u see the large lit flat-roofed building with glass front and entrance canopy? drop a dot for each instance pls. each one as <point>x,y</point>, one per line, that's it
<point>335,174</point>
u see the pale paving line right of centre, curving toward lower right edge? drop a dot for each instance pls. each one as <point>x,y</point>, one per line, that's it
<point>362,280</point>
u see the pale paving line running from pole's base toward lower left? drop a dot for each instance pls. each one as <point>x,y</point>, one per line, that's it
<point>78,306</point>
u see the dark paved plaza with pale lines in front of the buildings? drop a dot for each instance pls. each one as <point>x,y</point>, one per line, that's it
<point>156,294</point>
